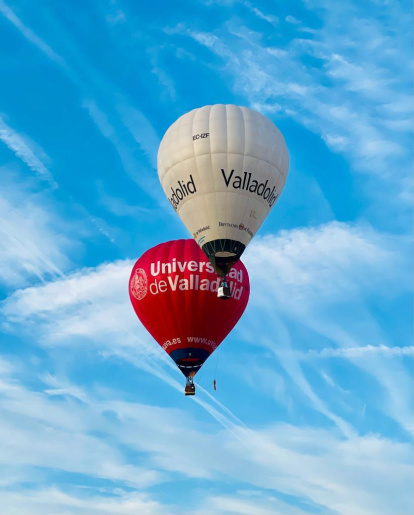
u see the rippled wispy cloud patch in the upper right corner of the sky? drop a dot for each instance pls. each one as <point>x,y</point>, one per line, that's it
<point>342,94</point>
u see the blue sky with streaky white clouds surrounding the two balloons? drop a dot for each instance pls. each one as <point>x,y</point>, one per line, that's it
<point>313,412</point>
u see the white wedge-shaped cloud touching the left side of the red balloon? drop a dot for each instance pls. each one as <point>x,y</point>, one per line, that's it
<point>89,309</point>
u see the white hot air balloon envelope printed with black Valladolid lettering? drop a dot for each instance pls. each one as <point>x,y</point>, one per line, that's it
<point>223,168</point>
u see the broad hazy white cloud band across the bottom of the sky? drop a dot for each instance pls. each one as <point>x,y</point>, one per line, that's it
<point>140,445</point>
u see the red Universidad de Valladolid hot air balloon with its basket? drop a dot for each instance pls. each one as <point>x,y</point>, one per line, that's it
<point>173,292</point>
